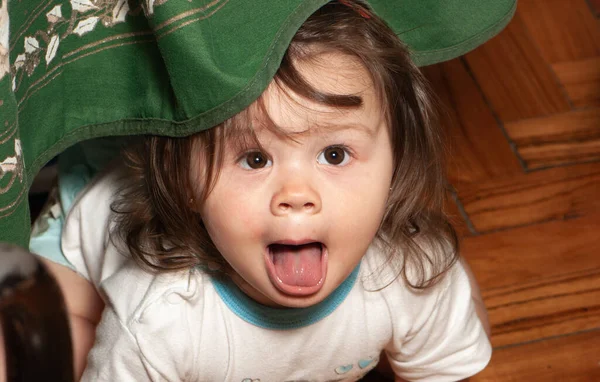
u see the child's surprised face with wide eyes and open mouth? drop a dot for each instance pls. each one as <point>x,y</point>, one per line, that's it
<point>295,219</point>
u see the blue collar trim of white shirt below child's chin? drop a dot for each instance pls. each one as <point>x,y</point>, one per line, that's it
<point>280,318</point>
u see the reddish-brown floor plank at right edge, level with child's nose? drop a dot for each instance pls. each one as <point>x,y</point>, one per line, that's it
<point>523,199</point>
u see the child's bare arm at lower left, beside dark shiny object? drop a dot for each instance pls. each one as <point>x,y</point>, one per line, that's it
<point>84,306</point>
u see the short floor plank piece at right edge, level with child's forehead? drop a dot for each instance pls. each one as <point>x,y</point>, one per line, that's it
<point>581,80</point>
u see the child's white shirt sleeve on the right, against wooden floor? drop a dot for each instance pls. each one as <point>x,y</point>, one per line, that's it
<point>445,340</point>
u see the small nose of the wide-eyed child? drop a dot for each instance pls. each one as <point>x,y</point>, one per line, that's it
<point>295,198</point>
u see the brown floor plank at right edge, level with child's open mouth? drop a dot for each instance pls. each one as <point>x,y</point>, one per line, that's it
<point>542,251</point>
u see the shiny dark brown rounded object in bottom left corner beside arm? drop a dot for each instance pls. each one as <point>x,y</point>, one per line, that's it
<point>34,320</point>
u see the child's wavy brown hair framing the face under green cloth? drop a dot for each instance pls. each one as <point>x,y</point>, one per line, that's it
<point>162,232</point>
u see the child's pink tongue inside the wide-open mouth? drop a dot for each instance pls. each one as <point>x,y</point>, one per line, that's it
<point>298,265</point>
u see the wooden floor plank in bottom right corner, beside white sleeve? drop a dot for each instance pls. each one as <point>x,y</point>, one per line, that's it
<point>573,358</point>
